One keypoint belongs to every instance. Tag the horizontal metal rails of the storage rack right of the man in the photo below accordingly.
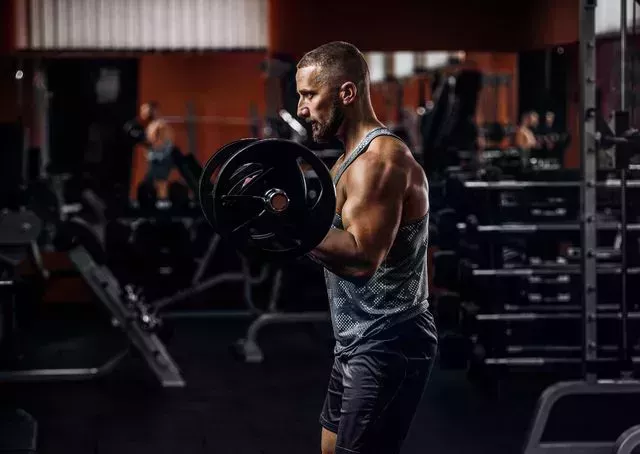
(539, 306)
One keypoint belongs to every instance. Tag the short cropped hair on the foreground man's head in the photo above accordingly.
(339, 62)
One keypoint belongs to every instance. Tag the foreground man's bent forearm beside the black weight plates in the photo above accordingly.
(339, 253)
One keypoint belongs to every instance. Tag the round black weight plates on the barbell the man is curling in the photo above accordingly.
(273, 199)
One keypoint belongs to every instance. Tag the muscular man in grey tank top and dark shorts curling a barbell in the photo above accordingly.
(375, 260)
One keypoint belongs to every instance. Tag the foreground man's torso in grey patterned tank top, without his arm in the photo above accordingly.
(365, 313)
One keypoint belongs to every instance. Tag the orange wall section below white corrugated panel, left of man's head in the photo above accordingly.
(218, 84)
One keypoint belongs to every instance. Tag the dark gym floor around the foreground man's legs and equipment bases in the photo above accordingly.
(229, 406)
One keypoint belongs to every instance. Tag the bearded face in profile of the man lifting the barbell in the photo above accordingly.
(318, 105)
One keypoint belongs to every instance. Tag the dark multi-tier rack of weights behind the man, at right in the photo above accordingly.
(519, 272)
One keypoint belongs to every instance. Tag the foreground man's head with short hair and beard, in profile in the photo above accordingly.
(333, 82)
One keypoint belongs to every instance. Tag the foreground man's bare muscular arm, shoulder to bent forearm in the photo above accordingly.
(371, 216)
